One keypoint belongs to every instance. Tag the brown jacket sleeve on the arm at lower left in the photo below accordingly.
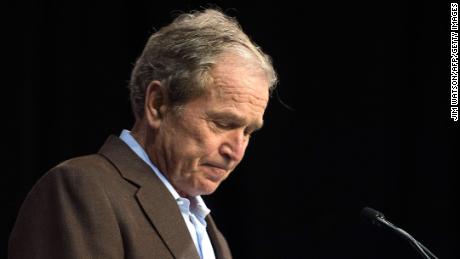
(66, 215)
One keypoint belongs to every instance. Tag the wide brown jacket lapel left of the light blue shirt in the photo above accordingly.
(154, 198)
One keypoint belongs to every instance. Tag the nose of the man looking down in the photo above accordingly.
(234, 145)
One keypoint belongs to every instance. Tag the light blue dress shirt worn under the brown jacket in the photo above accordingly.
(193, 211)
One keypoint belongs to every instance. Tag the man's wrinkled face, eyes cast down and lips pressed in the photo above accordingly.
(199, 146)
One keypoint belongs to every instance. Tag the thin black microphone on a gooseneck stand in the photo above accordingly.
(377, 218)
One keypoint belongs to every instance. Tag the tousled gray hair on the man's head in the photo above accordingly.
(181, 54)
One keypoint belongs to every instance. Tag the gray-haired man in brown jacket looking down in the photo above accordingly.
(198, 92)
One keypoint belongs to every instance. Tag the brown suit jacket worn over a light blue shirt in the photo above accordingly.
(106, 205)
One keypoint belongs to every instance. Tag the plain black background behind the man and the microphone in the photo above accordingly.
(370, 123)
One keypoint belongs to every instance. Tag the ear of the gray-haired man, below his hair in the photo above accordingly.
(155, 104)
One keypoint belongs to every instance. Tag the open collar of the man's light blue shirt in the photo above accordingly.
(196, 205)
